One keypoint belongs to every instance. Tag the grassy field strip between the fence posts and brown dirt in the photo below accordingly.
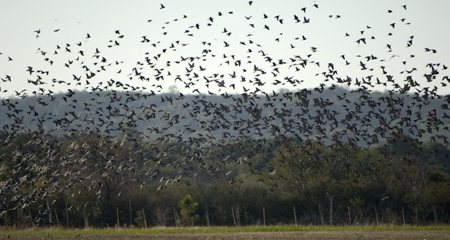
(247, 231)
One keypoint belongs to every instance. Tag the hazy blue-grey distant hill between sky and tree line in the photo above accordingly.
(309, 113)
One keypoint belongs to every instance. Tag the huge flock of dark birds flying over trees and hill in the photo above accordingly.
(130, 130)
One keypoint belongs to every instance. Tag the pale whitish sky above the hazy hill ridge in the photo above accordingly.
(229, 38)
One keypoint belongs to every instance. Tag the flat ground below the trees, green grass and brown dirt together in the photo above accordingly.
(252, 232)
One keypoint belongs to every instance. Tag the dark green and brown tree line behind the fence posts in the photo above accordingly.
(90, 179)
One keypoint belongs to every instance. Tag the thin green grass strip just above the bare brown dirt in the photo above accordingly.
(164, 230)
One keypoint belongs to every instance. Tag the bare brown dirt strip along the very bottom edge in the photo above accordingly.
(409, 235)
